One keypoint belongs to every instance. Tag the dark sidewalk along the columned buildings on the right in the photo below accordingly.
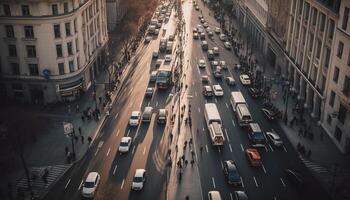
(327, 163)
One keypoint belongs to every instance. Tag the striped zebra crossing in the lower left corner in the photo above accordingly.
(39, 184)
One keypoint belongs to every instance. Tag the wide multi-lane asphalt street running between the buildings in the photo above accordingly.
(151, 141)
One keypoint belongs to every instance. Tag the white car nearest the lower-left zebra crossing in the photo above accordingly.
(90, 185)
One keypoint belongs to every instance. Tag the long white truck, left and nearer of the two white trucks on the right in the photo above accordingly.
(214, 124)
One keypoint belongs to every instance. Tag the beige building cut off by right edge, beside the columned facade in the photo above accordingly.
(336, 119)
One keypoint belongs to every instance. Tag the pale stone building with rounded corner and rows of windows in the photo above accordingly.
(51, 50)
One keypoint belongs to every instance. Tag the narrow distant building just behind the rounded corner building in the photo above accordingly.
(116, 10)
